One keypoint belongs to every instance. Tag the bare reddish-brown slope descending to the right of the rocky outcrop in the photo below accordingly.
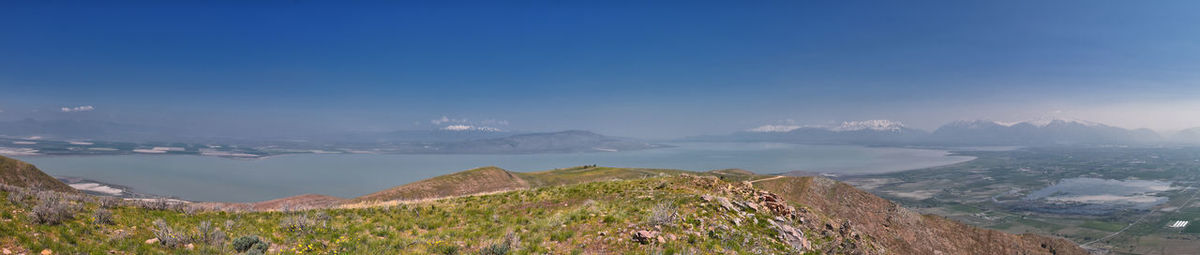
(903, 232)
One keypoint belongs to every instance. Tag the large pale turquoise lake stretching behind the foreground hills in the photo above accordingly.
(207, 179)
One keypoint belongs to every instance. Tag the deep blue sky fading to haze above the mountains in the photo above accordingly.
(627, 69)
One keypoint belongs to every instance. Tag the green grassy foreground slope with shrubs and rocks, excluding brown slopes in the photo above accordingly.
(568, 220)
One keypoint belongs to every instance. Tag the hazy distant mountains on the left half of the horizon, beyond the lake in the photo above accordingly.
(46, 137)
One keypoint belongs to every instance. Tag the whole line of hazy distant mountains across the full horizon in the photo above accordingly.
(476, 140)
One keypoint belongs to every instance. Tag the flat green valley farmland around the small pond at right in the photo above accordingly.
(1115, 199)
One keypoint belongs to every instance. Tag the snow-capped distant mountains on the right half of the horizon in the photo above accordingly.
(964, 133)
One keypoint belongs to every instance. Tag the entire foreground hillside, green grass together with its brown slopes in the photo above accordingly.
(573, 211)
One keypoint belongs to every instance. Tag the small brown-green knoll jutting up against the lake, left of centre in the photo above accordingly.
(478, 181)
